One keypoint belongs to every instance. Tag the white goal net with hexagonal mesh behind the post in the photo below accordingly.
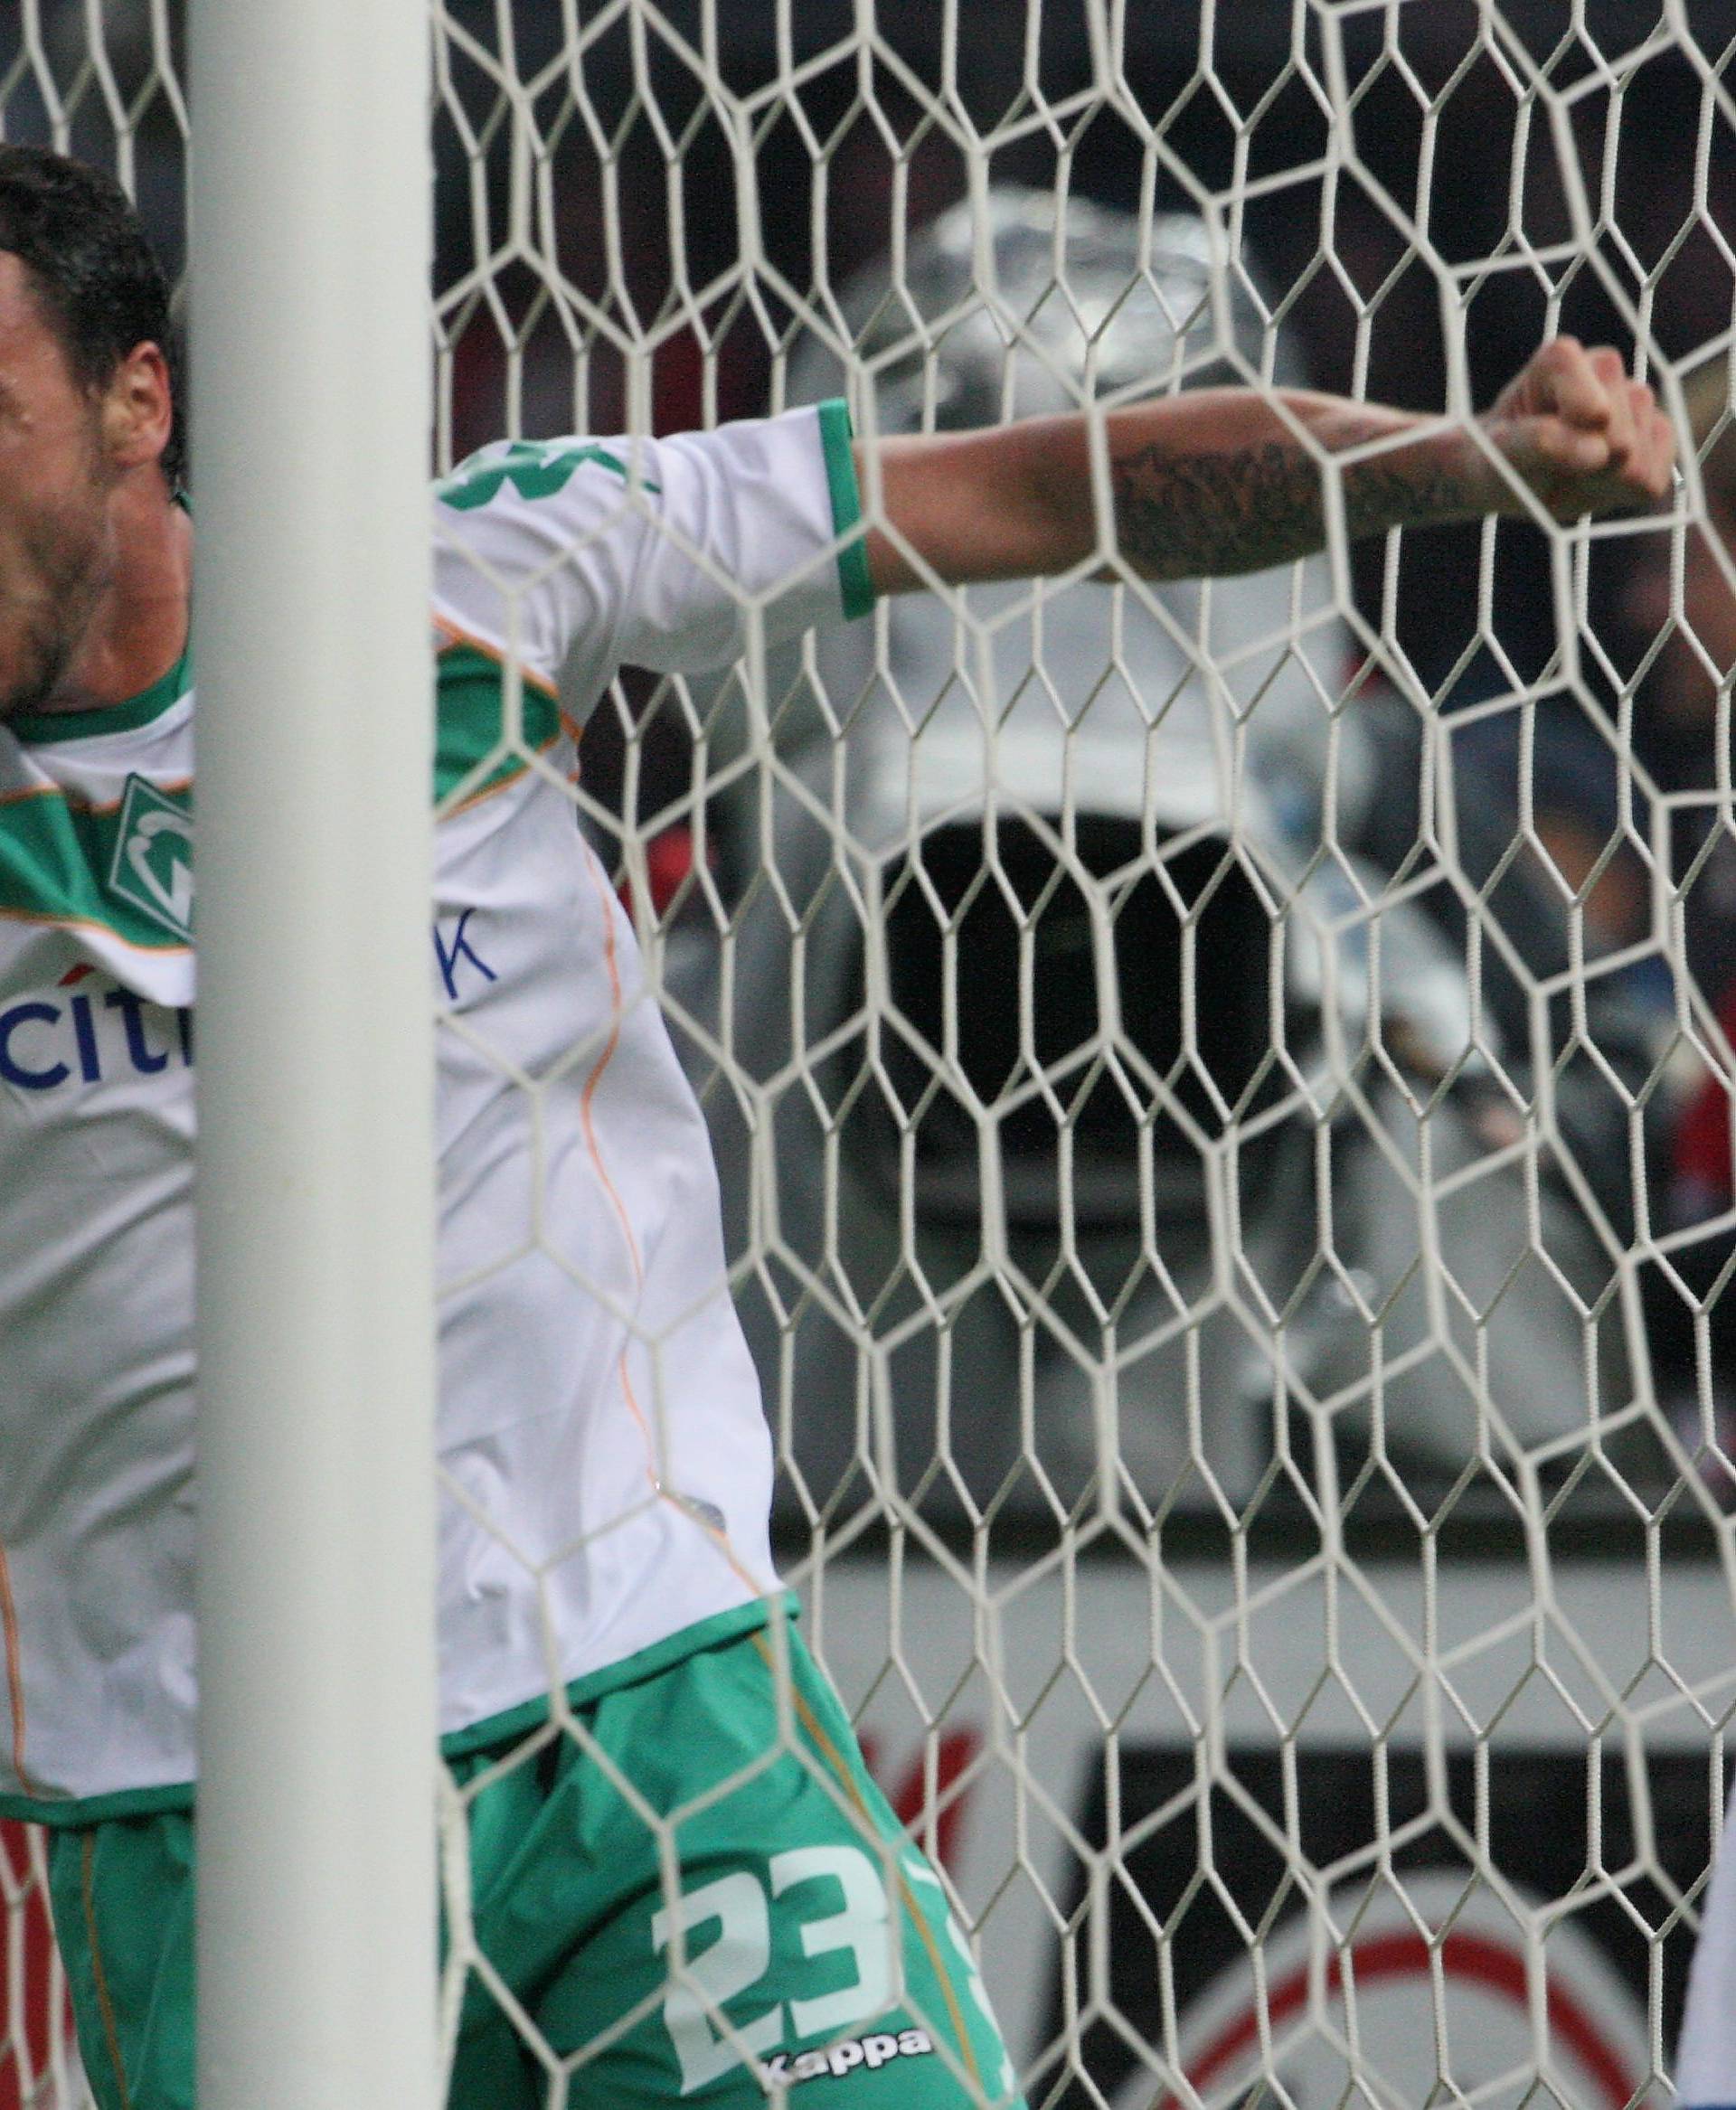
(1222, 1094)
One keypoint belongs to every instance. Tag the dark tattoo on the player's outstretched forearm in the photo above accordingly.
(1193, 516)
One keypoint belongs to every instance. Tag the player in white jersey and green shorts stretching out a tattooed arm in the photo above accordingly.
(602, 1436)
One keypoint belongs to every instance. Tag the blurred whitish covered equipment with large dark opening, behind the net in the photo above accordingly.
(1062, 1138)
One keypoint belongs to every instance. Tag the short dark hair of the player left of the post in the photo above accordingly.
(90, 265)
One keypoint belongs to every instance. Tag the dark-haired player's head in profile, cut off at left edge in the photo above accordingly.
(88, 423)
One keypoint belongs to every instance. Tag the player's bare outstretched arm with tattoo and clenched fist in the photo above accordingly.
(1229, 480)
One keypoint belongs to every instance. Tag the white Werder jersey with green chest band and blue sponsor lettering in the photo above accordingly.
(606, 1463)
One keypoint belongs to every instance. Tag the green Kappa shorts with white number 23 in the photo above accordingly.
(805, 1942)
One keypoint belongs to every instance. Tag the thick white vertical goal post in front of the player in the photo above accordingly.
(315, 1267)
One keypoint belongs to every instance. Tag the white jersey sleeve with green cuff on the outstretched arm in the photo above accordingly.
(577, 558)
